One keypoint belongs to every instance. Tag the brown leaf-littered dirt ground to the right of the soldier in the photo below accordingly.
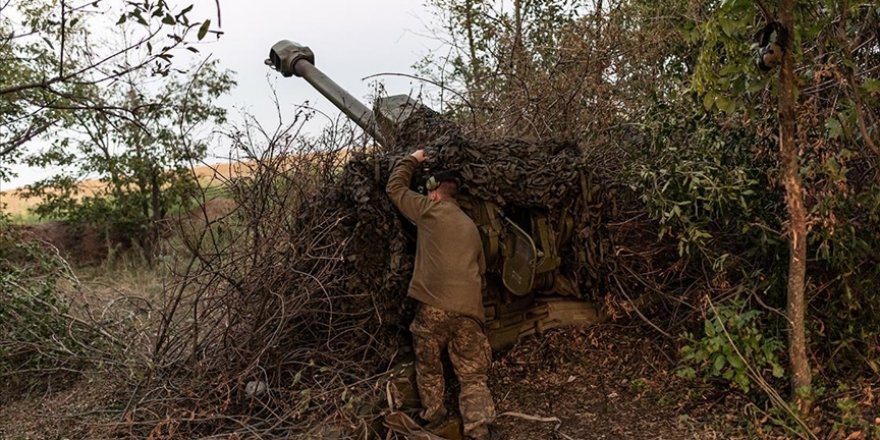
(605, 382)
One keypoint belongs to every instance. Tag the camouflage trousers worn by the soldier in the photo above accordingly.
(435, 330)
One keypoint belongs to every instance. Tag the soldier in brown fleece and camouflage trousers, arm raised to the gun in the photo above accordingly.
(447, 283)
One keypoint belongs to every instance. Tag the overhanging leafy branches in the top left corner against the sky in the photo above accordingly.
(48, 59)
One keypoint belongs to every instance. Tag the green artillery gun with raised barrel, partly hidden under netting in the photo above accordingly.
(526, 292)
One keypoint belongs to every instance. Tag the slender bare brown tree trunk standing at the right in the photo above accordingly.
(794, 199)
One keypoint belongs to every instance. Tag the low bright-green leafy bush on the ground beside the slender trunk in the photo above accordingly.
(713, 354)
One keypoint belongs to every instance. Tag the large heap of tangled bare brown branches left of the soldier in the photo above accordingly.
(269, 330)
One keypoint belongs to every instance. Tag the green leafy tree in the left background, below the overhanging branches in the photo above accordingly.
(143, 163)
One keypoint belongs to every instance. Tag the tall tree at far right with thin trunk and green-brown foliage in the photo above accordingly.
(827, 163)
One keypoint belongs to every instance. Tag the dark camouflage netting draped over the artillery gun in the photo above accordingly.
(377, 246)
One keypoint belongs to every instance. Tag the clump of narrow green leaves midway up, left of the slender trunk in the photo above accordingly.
(703, 182)
